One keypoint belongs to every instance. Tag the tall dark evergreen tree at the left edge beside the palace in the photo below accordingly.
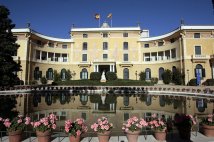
(8, 48)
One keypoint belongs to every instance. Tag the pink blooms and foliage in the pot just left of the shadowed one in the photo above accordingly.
(157, 124)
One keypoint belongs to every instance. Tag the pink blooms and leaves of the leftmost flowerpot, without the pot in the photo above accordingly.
(17, 123)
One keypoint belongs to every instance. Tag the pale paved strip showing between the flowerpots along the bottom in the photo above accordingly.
(195, 137)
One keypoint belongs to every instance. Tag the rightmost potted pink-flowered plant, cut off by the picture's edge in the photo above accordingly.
(208, 125)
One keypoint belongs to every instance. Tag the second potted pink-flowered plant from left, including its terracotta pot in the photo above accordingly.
(44, 127)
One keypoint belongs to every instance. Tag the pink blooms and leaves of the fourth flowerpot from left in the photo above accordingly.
(102, 125)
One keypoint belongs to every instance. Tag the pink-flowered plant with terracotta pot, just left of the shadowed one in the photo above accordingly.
(159, 126)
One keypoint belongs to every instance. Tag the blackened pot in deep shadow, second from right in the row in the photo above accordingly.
(184, 132)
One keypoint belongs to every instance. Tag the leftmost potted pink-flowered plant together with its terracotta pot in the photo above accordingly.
(16, 127)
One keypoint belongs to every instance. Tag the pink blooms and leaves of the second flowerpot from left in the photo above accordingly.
(45, 124)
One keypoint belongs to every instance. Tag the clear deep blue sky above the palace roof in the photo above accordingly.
(55, 17)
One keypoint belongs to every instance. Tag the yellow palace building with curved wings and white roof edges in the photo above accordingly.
(127, 51)
